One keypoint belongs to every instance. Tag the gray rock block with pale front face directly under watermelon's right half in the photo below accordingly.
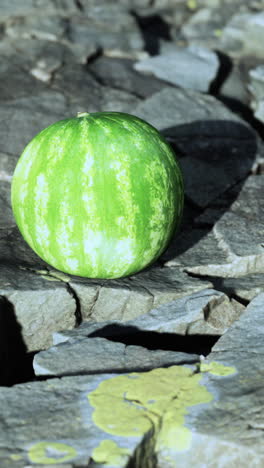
(131, 297)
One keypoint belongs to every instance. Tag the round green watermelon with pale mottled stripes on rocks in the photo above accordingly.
(98, 195)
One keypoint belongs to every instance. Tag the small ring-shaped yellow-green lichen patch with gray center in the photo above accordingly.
(50, 453)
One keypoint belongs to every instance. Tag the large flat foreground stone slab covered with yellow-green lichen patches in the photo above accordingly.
(164, 415)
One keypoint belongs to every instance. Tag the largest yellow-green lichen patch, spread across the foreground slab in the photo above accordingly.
(157, 399)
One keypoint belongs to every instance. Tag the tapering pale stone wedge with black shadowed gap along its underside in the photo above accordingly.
(179, 325)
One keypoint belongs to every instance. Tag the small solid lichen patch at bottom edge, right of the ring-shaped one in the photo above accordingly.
(109, 453)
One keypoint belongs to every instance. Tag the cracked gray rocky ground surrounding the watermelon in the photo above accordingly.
(162, 369)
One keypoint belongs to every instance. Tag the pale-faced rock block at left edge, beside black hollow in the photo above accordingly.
(39, 307)
